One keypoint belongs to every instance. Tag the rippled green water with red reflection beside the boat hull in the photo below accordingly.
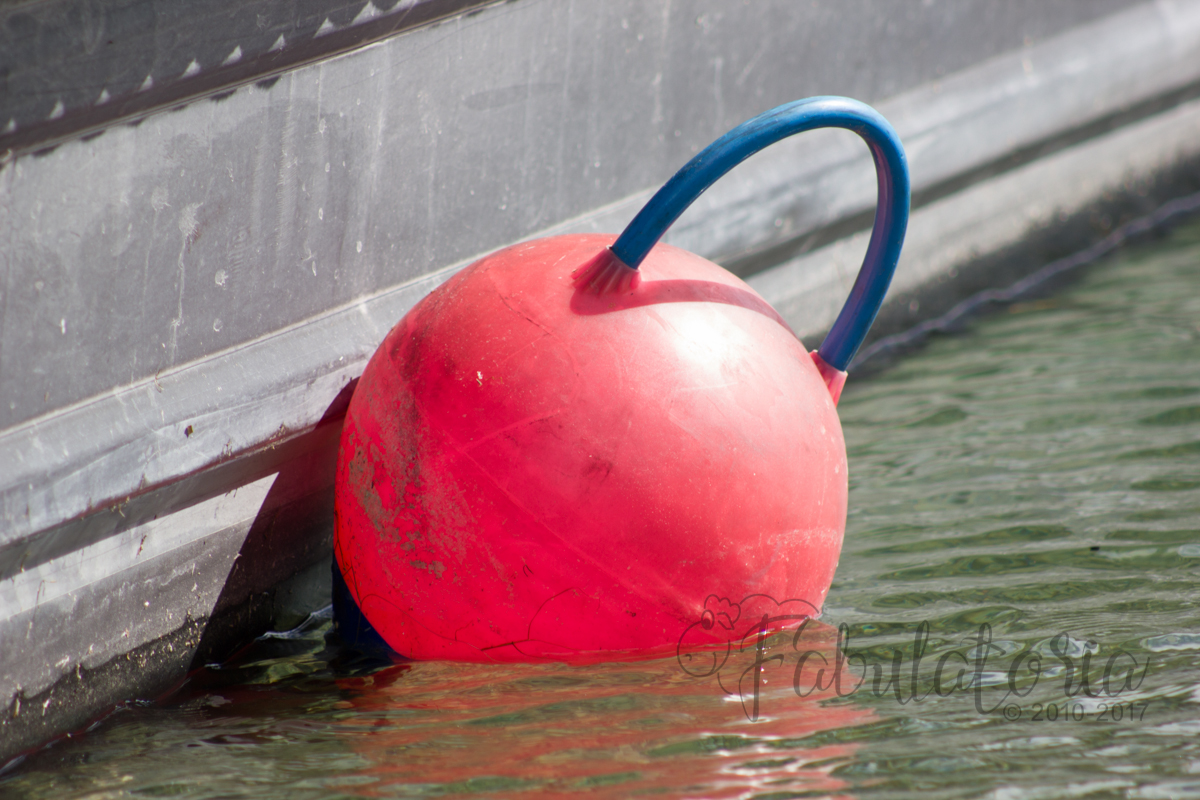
(1034, 482)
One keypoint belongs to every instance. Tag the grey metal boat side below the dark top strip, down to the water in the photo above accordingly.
(185, 304)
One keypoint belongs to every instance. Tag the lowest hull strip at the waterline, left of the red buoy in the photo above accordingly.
(129, 617)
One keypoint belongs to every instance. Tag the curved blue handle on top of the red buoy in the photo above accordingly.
(751, 137)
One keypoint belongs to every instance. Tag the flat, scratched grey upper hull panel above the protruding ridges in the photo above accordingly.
(208, 227)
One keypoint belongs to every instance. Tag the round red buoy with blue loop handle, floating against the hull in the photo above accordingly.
(575, 444)
